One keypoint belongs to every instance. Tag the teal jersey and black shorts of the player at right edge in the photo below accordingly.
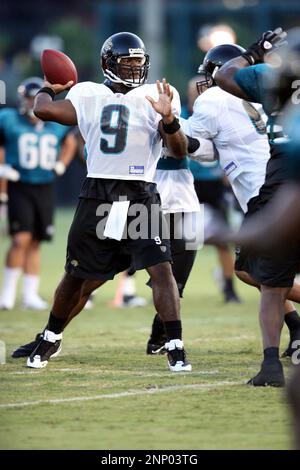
(276, 269)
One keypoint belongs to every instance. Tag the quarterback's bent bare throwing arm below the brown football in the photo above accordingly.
(61, 111)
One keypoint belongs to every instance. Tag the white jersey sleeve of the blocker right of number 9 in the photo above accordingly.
(203, 123)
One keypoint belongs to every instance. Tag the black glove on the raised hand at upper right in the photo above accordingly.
(269, 41)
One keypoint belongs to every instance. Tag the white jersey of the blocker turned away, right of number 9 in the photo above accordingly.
(239, 134)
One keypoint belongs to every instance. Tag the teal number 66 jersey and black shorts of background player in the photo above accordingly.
(32, 150)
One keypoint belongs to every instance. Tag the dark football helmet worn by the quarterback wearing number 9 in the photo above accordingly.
(124, 45)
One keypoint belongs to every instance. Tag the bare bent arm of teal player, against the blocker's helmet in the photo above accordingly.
(225, 76)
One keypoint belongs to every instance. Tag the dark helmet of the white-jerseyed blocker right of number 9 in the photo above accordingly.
(213, 60)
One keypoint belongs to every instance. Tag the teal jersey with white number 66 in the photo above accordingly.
(31, 149)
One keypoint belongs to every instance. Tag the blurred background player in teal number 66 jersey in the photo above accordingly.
(32, 153)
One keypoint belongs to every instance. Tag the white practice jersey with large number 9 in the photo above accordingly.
(120, 130)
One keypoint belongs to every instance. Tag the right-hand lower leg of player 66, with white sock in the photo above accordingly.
(31, 279)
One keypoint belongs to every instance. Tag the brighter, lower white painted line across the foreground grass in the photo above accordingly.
(129, 393)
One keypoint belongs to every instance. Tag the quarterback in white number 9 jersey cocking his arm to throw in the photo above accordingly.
(122, 121)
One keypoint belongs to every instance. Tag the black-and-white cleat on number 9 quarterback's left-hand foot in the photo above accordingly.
(48, 347)
